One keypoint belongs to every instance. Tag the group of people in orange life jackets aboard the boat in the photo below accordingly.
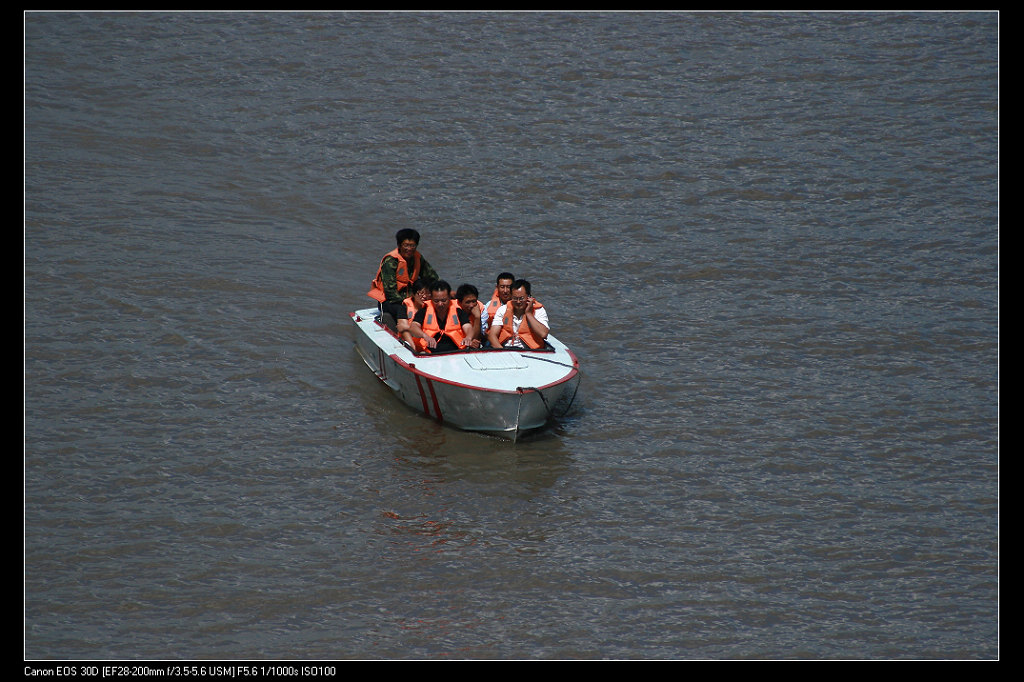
(424, 312)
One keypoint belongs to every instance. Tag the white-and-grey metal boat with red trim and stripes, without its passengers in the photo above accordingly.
(505, 393)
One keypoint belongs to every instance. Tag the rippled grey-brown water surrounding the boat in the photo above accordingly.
(773, 241)
